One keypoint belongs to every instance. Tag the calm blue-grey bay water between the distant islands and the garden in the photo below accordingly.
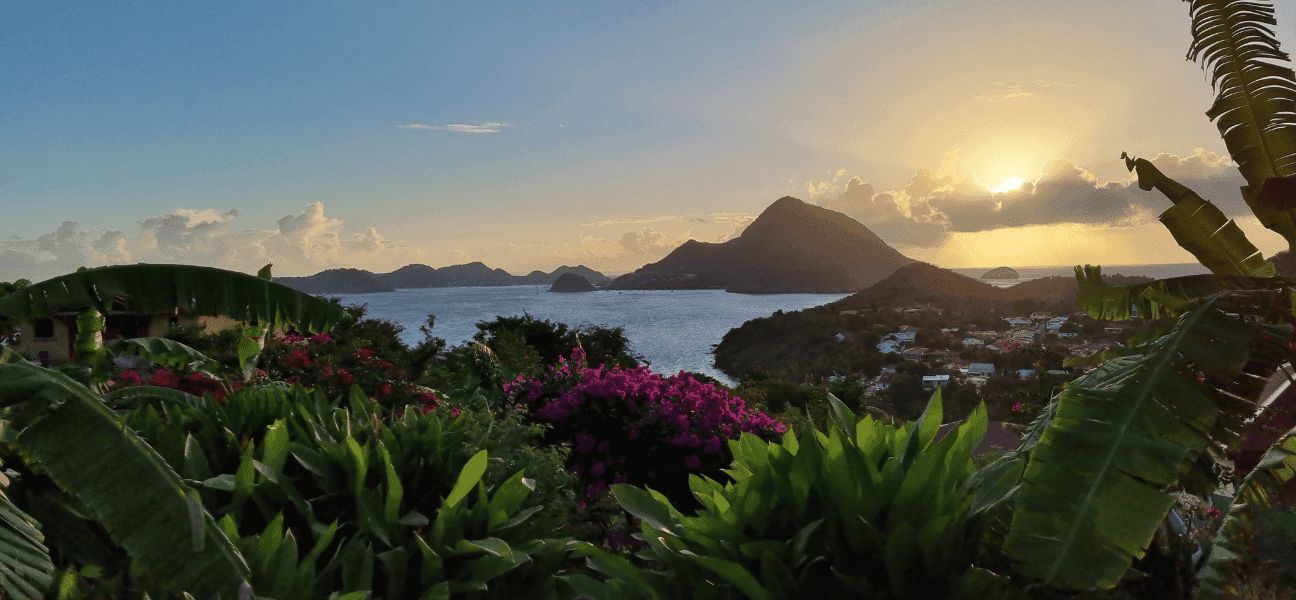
(675, 331)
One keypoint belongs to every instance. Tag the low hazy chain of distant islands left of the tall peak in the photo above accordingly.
(414, 277)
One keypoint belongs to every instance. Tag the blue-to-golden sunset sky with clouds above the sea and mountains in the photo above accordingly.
(533, 134)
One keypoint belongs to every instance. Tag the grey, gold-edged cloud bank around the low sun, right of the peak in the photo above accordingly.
(944, 202)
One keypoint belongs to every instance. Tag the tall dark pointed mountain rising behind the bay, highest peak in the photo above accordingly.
(791, 248)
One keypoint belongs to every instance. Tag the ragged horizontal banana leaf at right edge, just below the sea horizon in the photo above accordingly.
(1171, 297)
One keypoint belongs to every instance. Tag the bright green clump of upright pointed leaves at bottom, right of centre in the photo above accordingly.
(864, 511)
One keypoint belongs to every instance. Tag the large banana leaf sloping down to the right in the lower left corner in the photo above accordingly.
(122, 481)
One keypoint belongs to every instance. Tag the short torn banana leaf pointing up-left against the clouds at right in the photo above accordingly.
(1201, 229)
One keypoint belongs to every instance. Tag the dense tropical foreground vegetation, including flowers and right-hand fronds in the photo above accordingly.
(348, 466)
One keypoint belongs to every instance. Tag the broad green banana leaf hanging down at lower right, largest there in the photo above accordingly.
(1097, 484)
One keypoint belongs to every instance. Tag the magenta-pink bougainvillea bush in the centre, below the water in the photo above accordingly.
(634, 426)
